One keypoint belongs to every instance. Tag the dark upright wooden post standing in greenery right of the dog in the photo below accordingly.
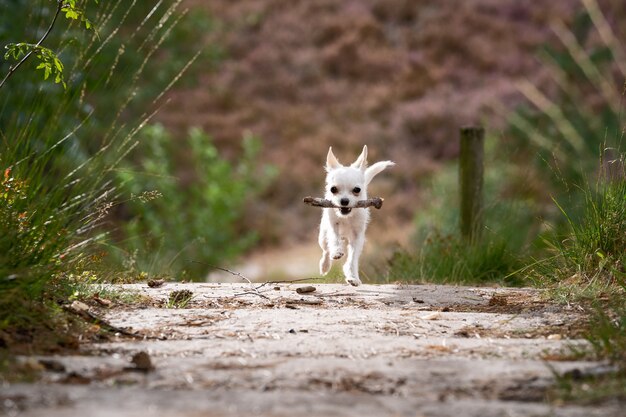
(471, 181)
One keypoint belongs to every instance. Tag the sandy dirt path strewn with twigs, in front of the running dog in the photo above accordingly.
(338, 351)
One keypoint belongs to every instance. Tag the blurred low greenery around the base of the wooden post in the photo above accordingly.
(440, 254)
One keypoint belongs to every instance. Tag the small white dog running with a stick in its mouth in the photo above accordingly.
(345, 227)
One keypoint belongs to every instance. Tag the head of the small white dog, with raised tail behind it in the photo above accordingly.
(345, 185)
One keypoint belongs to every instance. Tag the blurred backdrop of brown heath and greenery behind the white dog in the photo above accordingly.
(188, 132)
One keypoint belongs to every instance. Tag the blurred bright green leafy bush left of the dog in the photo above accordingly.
(194, 224)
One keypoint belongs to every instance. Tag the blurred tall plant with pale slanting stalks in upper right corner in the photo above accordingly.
(568, 130)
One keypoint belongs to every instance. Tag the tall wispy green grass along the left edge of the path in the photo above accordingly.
(56, 166)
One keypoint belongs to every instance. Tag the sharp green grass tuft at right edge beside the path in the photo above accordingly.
(588, 266)
